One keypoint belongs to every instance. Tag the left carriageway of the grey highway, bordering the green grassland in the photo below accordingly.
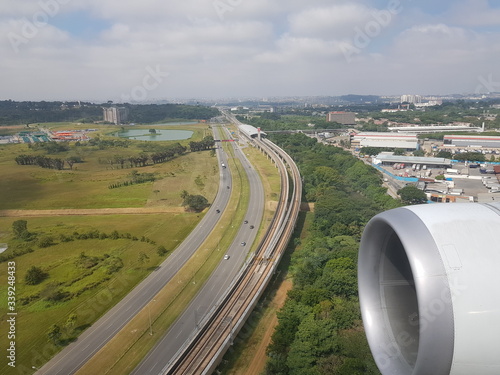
(70, 359)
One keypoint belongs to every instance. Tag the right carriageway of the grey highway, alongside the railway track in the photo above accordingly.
(189, 322)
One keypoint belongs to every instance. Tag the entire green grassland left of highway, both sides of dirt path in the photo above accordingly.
(91, 287)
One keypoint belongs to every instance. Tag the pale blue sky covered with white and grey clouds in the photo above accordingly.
(147, 50)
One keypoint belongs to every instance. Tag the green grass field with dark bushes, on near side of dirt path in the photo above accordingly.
(99, 290)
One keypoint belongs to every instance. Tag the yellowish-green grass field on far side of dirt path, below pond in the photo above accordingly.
(86, 186)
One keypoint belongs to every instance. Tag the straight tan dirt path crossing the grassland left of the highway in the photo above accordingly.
(92, 211)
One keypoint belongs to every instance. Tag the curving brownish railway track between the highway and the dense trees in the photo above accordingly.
(205, 350)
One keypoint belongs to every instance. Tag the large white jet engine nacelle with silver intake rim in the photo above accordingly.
(429, 289)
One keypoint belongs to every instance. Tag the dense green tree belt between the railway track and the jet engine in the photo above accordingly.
(320, 330)
